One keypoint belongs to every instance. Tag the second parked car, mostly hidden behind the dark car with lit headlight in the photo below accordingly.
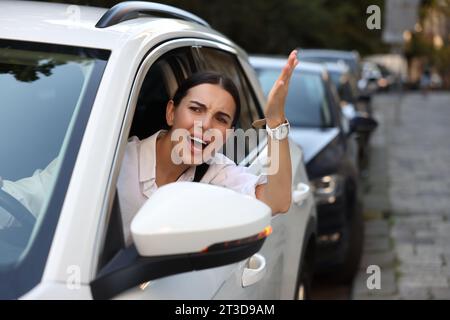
(353, 107)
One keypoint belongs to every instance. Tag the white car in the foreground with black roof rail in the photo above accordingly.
(75, 83)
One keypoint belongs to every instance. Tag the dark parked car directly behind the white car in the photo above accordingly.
(312, 108)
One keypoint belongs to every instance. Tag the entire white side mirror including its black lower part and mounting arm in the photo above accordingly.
(186, 226)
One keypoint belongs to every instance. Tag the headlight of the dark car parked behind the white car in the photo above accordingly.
(326, 189)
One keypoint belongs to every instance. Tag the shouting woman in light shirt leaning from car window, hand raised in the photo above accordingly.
(205, 102)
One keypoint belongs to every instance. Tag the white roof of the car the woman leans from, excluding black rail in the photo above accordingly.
(75, 25)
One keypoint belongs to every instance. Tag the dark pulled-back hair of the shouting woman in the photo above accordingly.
(212, 78)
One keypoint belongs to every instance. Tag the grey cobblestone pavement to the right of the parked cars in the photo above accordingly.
(407, 199)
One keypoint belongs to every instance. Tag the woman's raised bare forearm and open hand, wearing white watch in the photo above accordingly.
(277, 193)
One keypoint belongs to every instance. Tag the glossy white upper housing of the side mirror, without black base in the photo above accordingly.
(189, 217)
